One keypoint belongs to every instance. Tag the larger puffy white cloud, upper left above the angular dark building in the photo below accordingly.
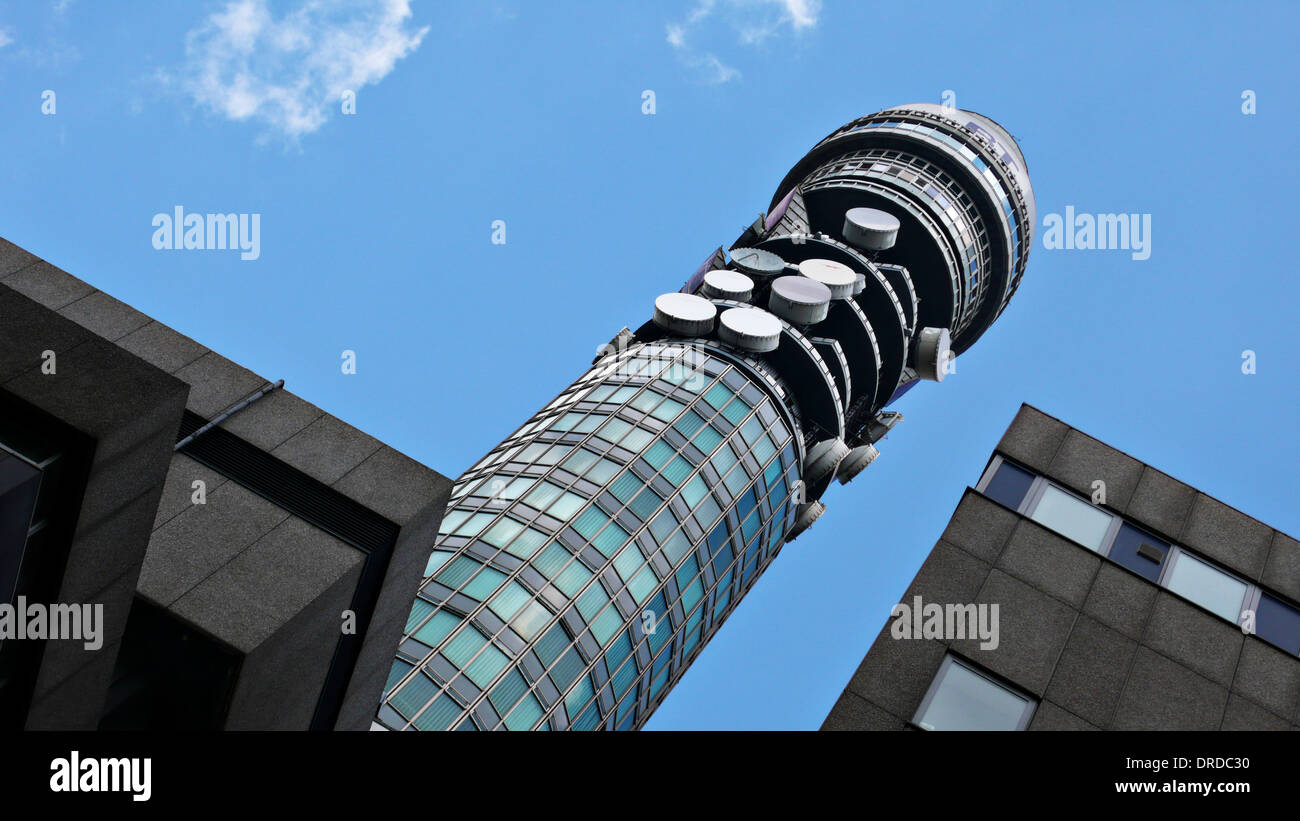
(291, 73)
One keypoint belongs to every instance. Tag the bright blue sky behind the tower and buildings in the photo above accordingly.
(376, 231)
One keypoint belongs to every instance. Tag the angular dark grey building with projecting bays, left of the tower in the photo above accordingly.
(226, 568)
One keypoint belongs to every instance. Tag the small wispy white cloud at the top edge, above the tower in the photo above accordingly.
(751, 23)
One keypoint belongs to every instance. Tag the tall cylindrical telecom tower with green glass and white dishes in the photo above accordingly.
(587, 561)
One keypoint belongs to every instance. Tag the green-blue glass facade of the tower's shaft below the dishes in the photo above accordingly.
(587, 559)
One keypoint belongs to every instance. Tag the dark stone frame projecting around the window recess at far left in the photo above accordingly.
(131, 411)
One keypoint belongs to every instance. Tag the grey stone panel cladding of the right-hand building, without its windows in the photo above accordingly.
(1100, 648)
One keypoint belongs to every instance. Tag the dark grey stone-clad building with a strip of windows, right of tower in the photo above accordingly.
(1128, 602)
